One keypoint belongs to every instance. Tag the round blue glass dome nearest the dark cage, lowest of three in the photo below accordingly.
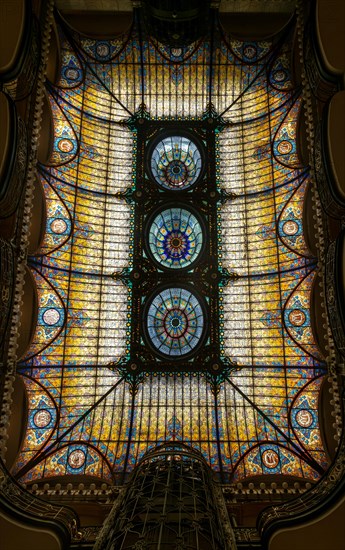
(175, 322)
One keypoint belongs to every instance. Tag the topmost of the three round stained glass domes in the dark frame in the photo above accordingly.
(176, 163)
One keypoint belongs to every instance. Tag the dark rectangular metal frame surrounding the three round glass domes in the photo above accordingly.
(205, 276)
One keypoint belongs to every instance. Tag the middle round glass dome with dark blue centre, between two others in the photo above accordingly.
(175, 238)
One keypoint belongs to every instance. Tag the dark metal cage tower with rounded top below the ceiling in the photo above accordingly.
(170, 503)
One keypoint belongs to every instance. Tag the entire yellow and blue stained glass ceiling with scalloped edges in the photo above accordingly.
(87, 413)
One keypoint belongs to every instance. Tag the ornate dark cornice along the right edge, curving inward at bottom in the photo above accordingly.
(330, 488)
